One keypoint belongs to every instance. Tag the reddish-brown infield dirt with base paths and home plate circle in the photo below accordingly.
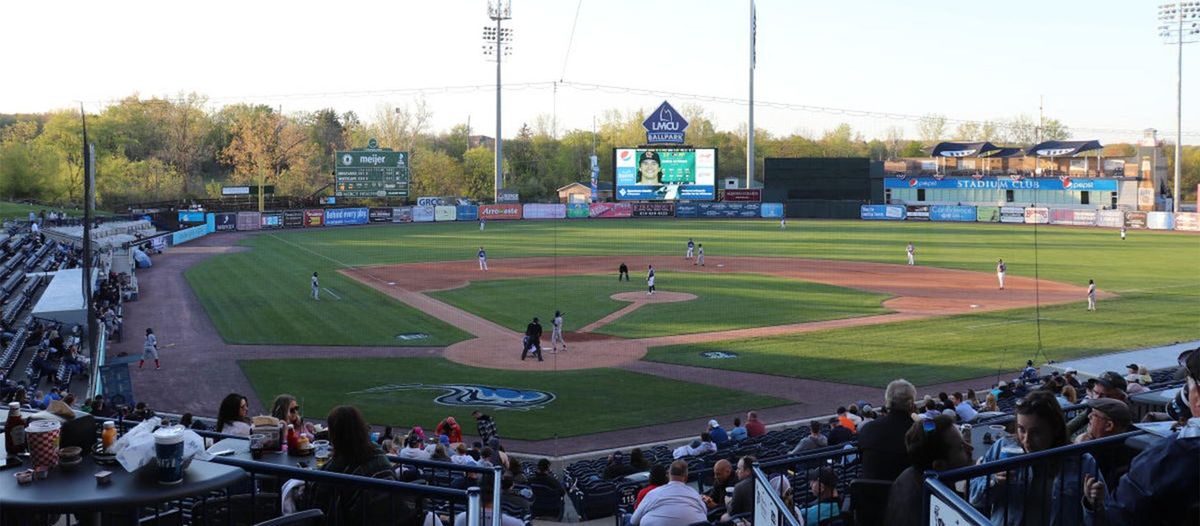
(917, 292)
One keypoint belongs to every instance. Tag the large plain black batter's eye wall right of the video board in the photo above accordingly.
(823, 188)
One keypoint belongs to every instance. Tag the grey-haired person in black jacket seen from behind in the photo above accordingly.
(883, 441)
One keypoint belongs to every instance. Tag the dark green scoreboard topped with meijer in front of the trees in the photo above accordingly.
(371, 172)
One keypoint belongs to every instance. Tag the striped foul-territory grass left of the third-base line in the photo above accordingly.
(263, 297)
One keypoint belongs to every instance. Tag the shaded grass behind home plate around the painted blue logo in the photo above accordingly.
(610, 399)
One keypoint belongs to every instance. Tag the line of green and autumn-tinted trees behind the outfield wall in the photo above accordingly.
(159, 150)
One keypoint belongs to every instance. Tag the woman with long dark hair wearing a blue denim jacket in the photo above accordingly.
(1048, 494)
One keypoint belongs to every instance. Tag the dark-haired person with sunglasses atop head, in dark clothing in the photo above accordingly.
(933, 445)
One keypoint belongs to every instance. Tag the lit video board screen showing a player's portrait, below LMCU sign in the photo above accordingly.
(665, 174)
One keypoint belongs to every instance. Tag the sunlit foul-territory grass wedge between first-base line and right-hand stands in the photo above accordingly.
(959, 348)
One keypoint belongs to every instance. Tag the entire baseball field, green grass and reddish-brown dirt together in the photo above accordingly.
(787, 319)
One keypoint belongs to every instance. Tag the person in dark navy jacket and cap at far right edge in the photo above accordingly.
(1163, 482)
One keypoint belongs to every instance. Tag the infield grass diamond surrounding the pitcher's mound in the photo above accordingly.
(723, 302)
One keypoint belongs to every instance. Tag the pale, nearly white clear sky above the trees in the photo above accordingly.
(1100, 67)
